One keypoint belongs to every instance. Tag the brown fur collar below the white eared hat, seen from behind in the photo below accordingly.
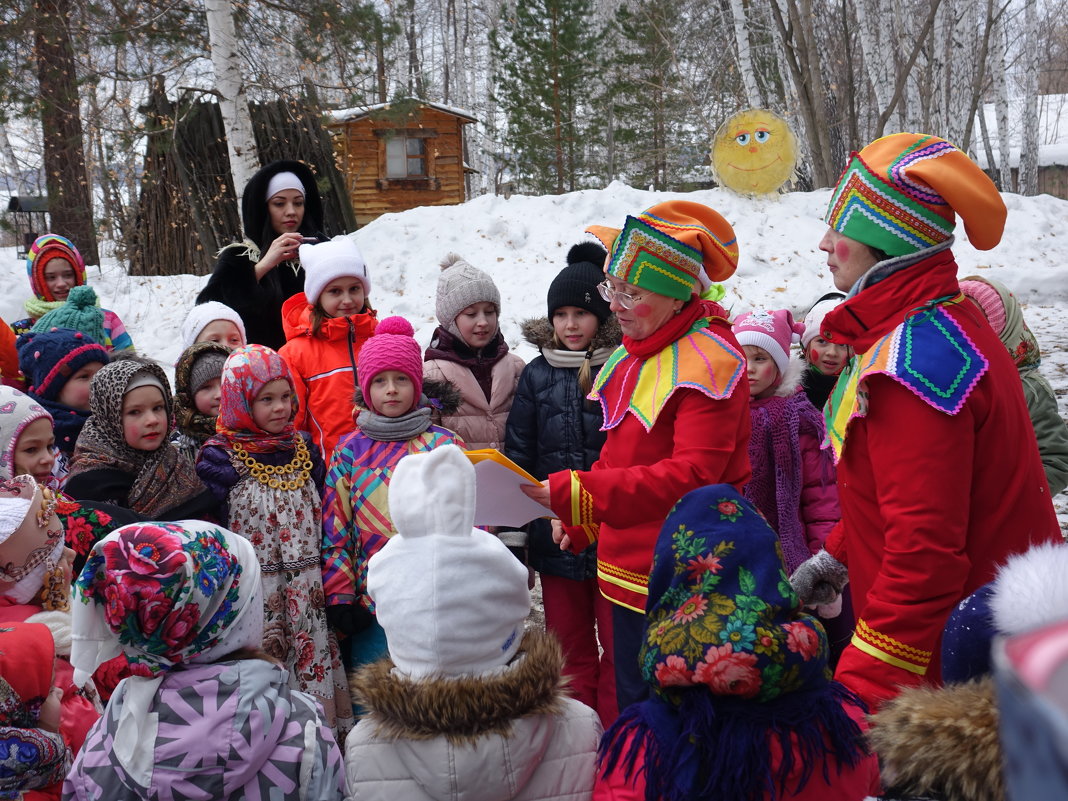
(464, 710)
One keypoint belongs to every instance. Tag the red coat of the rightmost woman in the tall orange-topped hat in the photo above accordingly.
(933, 501)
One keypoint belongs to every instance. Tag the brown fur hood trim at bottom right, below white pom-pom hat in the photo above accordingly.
(941, 743)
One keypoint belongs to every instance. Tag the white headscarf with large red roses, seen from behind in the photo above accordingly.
(166, 594)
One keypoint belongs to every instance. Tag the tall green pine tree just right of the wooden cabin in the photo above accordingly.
(547, 59)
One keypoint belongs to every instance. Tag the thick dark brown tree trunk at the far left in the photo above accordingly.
(70, 199)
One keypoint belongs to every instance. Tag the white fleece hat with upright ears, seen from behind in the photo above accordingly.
(451, 598)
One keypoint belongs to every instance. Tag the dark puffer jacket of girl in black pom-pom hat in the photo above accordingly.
(552, 428)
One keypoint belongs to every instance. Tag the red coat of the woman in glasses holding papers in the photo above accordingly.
(624, 499)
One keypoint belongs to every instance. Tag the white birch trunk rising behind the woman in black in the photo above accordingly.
(233, 102)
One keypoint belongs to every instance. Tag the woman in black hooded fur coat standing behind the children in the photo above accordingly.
(280, 209)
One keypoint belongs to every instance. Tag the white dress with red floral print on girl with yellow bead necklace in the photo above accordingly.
(286, 528)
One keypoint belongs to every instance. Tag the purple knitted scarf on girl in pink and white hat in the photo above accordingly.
(775, 453)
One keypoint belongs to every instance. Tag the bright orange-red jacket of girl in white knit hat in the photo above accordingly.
(324, 370)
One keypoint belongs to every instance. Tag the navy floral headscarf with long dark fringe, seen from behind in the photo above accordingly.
(733, 663)
